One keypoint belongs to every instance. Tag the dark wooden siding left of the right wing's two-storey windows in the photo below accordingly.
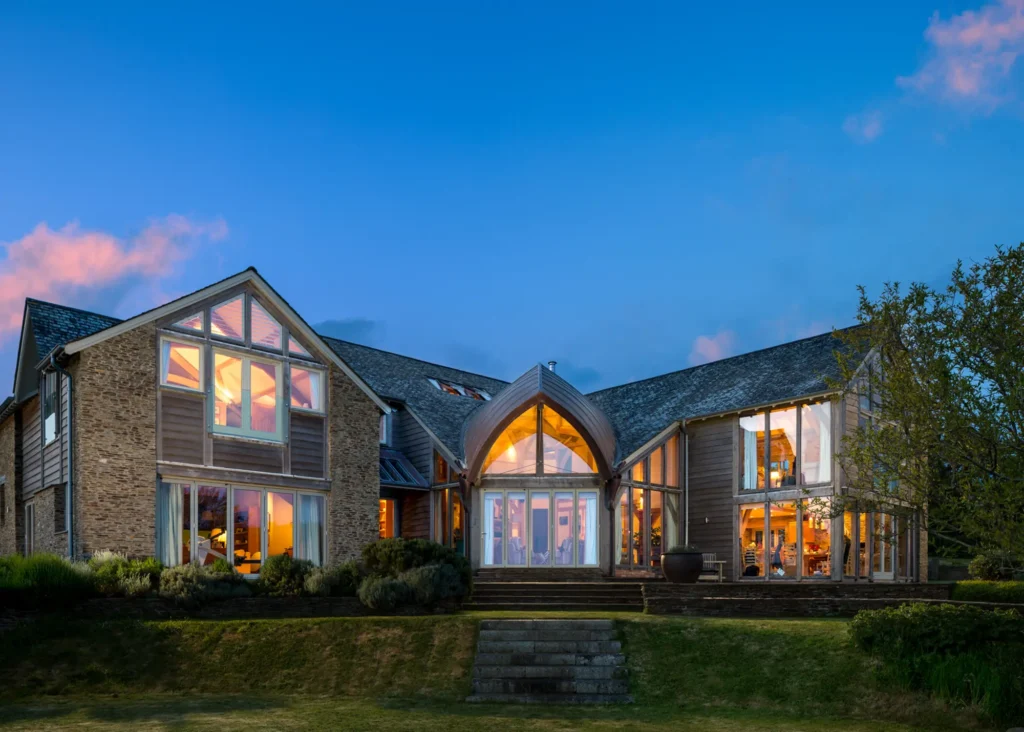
(712, 519)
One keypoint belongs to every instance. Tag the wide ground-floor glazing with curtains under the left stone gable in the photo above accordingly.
(203, 524)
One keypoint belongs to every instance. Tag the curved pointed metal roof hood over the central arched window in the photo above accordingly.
(537, 386)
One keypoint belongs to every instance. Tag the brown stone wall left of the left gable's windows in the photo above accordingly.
(115, 433)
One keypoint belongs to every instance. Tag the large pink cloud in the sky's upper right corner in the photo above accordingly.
(972, 56)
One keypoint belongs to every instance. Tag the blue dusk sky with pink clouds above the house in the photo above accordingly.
(493, 185)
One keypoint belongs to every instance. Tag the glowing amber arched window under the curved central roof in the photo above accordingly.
(562, 451)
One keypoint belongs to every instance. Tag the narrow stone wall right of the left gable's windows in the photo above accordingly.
(353, 461)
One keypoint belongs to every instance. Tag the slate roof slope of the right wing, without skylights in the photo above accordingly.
(642, 410)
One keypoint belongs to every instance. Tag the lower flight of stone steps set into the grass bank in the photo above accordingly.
(550, 662)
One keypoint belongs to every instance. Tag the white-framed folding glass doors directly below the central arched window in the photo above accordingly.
(544, 529)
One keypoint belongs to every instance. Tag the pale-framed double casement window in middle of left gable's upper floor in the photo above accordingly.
(246, 397)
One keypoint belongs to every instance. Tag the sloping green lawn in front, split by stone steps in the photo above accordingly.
(413, 673)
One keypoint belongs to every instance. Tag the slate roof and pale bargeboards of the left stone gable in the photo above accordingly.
(77, 330)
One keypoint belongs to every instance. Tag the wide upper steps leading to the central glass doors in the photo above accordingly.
(572, 596)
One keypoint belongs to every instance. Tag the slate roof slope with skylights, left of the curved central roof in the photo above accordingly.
(407, 380)
